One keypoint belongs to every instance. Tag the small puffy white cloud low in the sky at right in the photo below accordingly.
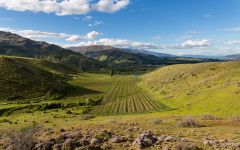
(189, 44)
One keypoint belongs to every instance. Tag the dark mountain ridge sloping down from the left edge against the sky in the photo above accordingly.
(15, 45)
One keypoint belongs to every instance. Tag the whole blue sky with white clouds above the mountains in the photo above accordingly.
(199, 27)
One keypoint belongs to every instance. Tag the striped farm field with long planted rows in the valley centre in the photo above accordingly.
(125, 96)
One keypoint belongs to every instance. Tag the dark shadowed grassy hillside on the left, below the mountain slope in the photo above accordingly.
(22, 78)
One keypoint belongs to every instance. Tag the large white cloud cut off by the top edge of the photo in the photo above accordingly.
(64, 7)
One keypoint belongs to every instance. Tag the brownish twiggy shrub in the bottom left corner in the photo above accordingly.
(23, 139)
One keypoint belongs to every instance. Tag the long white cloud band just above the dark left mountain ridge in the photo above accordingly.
(34, 34)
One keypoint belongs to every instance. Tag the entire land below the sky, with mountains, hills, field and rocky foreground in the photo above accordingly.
(109, 98)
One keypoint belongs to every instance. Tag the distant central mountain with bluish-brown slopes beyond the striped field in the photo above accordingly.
(121, 58)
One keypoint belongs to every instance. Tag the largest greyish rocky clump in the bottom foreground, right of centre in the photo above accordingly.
(145, 140)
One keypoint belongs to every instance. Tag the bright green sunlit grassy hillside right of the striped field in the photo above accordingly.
(199, 88)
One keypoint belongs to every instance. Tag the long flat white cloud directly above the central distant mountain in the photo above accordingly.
(118, 43)
